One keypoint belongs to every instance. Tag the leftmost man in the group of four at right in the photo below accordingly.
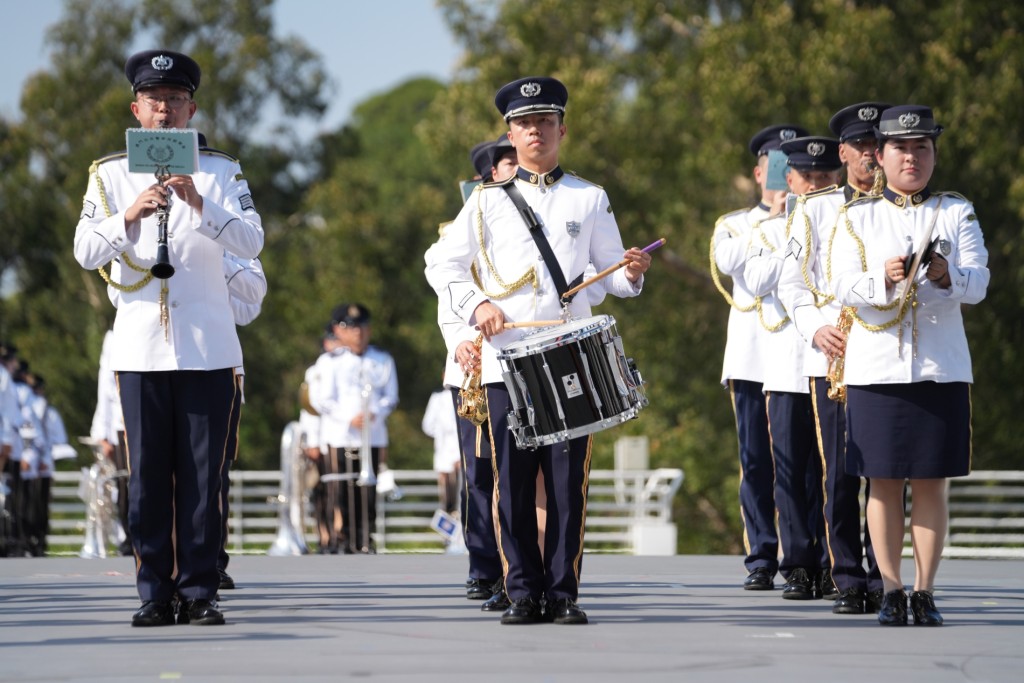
(743, 368)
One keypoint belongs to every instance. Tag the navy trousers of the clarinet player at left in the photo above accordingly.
(177, 431)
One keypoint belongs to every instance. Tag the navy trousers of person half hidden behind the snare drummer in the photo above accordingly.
(479, 490)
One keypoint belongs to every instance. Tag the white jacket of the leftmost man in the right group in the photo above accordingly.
(731, 244)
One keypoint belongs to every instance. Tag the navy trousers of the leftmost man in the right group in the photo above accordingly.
(757, 483)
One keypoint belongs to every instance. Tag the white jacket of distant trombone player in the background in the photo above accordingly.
(338, 396)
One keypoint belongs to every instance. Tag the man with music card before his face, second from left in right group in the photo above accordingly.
(814, 164)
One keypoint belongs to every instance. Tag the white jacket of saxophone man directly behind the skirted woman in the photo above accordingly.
(804, 290)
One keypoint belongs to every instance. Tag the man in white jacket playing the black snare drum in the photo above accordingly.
(517, 285)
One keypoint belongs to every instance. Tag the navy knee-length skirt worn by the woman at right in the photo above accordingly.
(909, 432)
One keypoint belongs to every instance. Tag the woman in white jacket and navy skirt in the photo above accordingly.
(909, 262)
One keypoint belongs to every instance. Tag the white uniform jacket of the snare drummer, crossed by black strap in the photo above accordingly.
(578, 222)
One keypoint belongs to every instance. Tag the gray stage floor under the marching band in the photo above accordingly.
(405, 618)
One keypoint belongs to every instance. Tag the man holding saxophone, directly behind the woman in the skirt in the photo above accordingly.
(806, 295)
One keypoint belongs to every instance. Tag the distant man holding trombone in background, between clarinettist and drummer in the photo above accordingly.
(357, 393)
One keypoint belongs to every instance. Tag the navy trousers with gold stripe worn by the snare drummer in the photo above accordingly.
(567, 478)
